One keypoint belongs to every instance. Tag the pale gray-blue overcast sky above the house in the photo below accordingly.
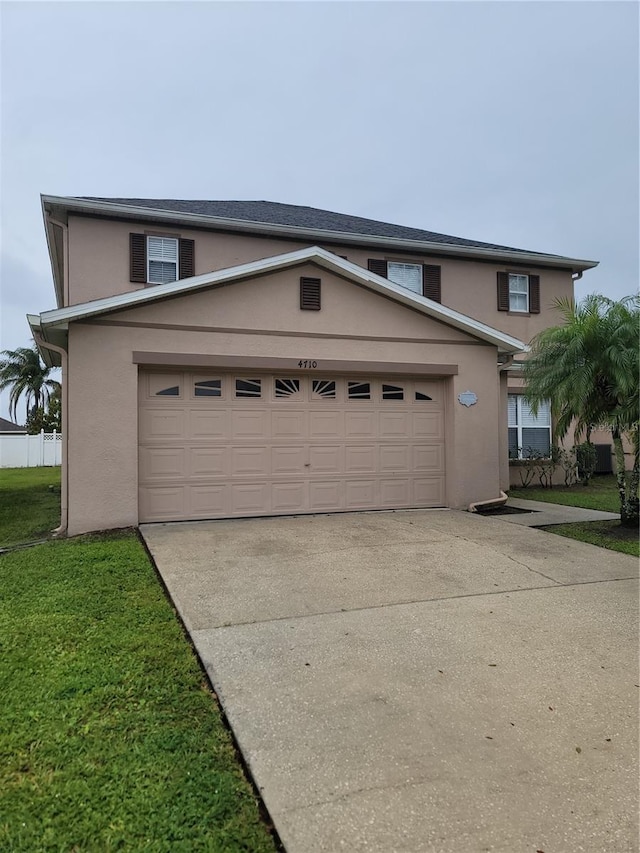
(509, 122)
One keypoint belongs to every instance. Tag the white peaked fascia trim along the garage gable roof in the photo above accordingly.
(62, 316)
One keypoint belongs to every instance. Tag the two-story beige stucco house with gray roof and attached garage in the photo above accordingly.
(228, 359)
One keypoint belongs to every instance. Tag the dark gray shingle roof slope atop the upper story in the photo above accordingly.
(275, 213)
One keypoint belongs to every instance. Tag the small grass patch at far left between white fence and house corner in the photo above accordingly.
(29, 504)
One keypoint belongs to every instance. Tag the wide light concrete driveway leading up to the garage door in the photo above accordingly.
(420, 681)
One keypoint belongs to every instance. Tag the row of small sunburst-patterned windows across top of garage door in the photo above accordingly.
(283, 388)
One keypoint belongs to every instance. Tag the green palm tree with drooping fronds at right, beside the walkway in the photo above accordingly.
(589, 368)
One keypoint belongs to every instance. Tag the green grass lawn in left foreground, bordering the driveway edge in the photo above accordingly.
(110, 738)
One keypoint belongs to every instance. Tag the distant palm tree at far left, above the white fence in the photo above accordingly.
(23, 371)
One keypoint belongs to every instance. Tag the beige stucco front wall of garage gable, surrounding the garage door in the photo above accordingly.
(234, 320)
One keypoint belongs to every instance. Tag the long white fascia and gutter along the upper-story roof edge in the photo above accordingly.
(397, 243)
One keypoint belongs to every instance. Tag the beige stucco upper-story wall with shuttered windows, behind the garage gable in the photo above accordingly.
(99, 266)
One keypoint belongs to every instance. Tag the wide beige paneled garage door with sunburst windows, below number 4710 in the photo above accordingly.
(219, 445)
